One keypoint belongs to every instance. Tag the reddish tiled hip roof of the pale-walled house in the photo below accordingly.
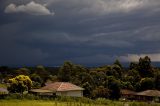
(61, 86)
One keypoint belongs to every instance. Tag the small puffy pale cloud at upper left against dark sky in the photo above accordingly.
(30, 8)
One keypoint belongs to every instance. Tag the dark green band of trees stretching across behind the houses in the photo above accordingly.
(104, 81)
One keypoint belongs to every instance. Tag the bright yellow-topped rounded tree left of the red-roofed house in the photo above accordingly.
(19, 84)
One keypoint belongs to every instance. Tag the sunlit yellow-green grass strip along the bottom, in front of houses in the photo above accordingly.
(54, 103)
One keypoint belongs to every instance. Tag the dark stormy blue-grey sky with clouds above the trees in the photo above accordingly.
(87, 32)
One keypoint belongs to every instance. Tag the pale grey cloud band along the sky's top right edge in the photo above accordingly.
(103, 7)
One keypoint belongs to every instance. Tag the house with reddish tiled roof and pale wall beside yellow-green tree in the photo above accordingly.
(61, 89)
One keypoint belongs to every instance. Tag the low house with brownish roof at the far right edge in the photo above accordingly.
(148, 95)
